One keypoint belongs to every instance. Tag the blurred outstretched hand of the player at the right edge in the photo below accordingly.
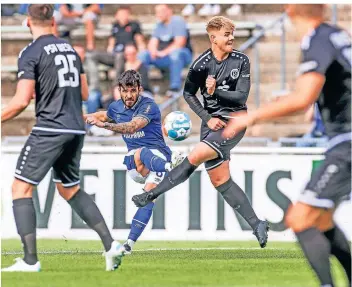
(238, 123)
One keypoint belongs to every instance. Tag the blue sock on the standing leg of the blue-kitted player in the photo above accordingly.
(140, 221)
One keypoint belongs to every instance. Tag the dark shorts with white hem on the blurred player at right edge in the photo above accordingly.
(331, 182)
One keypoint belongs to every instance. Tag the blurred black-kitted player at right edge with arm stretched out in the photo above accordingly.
(325, 77)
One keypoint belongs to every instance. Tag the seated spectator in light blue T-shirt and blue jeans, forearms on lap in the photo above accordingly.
(169, 47)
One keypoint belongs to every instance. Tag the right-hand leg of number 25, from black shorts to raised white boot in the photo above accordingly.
(66, 176)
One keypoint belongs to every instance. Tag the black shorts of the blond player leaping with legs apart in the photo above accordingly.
(215, 140)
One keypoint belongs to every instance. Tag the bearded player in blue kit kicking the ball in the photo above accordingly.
(138, 119)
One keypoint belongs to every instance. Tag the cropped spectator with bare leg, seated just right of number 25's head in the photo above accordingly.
(72, 15)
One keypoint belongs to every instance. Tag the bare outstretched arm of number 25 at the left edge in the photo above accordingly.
(22, 98)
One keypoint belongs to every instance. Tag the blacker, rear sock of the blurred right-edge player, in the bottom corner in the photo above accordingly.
(340, 248)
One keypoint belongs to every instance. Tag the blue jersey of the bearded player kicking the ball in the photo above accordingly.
(151, 135)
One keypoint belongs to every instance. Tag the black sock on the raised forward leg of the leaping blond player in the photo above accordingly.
(176, 176)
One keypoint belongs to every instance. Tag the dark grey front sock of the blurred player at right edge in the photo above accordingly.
(317, 250)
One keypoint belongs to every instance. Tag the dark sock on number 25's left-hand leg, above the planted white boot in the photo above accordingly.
(25, 218)
